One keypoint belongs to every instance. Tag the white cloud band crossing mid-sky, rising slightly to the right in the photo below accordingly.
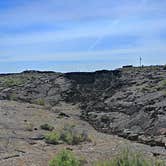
(138, 28)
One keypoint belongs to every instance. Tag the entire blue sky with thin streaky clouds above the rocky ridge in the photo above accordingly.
(81, 35)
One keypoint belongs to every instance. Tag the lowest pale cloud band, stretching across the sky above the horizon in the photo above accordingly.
(146, 50)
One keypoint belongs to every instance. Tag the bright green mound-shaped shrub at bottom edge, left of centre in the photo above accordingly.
(65, 158)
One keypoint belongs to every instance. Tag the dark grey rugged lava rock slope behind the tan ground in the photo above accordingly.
(129, 102)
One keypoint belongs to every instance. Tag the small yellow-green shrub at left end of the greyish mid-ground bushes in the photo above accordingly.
(52, 138)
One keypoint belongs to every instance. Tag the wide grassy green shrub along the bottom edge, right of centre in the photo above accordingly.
(130, 159)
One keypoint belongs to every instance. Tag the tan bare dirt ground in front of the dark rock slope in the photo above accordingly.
(21, 142)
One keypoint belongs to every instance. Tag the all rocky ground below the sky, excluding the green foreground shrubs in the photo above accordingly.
(127, 102)
